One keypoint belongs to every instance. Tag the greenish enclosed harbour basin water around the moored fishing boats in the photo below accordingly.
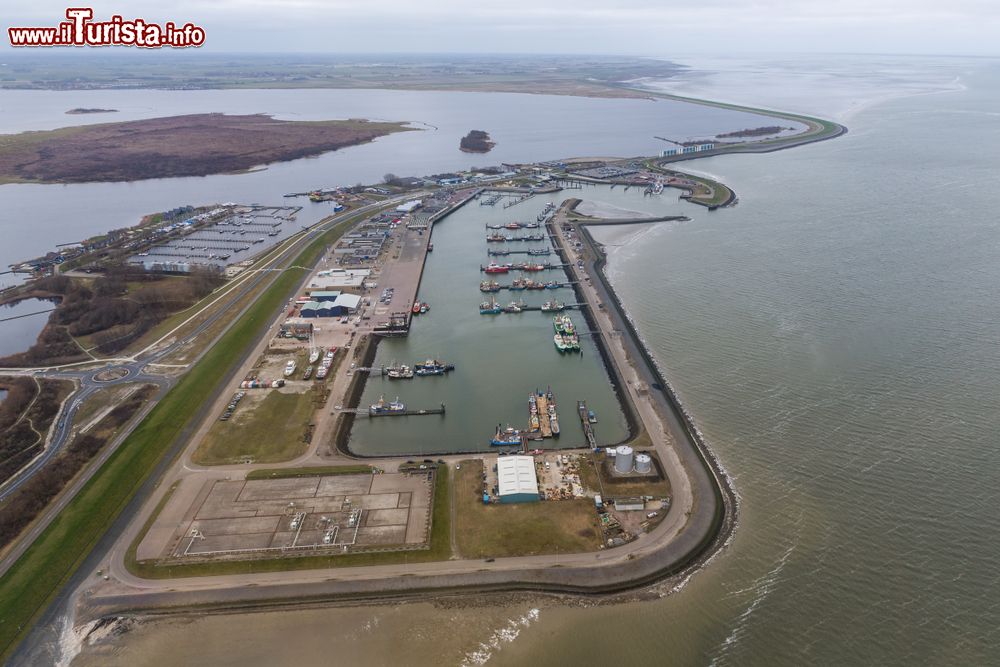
(476, 342)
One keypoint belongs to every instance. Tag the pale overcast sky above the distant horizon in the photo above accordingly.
(645, 27)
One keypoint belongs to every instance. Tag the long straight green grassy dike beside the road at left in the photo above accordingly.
(36, 578)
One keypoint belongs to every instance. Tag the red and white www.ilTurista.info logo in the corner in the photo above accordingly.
(80, 30)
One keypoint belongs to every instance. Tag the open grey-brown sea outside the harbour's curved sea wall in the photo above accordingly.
(836, 337)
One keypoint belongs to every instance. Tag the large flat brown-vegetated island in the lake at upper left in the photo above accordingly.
(192, 145)
